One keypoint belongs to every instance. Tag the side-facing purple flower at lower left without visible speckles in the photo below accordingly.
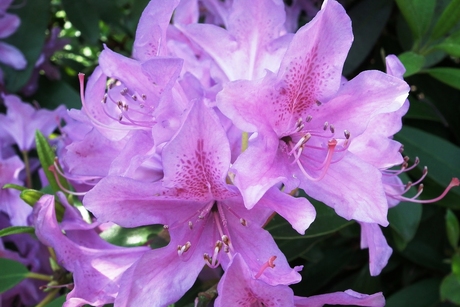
(96, 265)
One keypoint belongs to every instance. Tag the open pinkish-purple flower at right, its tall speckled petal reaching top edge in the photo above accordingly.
(304, 119)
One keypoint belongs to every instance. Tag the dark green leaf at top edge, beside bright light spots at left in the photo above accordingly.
(83, 15)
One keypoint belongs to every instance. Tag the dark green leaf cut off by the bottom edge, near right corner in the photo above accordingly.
(420, 294)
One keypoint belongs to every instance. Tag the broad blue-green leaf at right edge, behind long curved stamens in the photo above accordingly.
(440, 156)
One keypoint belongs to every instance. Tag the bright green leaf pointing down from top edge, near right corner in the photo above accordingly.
(418, 14)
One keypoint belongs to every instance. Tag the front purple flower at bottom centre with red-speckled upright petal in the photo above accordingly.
(204, 215)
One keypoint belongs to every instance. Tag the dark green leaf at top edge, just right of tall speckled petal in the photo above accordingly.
(368, 18)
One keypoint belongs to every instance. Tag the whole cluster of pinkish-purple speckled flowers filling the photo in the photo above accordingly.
(210, 129)
